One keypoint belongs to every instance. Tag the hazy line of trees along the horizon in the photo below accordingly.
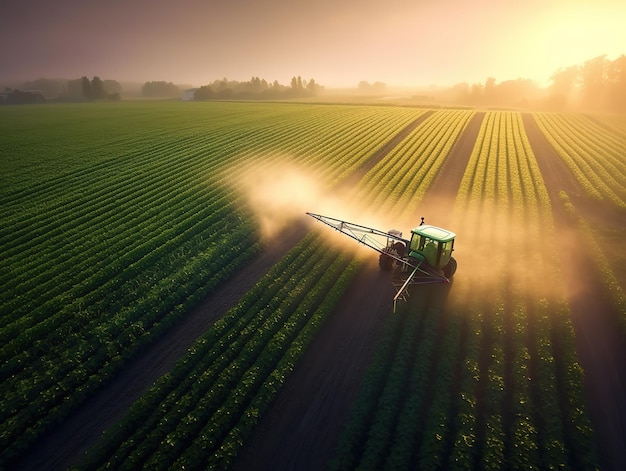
(598, 84)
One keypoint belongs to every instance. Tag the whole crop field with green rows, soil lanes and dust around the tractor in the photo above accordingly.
(165, 303)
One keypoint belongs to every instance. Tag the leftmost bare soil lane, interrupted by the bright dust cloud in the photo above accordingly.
(65, 444)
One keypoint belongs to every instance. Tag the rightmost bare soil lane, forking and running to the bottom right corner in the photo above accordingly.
(599, 343)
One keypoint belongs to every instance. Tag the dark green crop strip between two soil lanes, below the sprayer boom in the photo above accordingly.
(206, 407)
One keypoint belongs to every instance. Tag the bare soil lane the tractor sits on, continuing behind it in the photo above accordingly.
(300, 429)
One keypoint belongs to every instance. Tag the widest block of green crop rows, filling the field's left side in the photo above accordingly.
(118, 219)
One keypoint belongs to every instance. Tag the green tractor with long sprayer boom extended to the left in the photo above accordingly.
(424, 258)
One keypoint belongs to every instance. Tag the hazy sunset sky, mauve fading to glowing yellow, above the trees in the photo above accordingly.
(336, 42)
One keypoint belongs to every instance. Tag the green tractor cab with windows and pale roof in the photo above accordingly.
(433, 244)
